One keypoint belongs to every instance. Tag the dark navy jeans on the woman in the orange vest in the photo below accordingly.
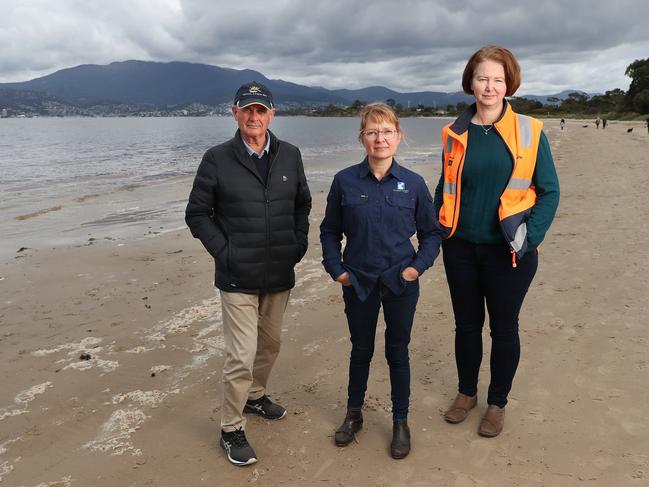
(479, 275)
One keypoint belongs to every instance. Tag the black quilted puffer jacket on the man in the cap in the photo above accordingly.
(256, 232)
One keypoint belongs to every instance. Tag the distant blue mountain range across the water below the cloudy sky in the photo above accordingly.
(147, 84)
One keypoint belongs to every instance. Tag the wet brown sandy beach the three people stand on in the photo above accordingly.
(111, 359)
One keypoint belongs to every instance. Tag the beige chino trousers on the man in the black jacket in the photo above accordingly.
(252, 325)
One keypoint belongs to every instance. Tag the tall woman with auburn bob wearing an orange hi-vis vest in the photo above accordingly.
(495, 200)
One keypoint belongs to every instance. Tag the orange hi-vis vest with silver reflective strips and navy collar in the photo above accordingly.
(521, 135)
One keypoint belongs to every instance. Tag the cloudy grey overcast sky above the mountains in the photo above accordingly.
(403, 45)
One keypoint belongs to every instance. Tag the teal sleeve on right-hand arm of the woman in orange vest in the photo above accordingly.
(546, 183)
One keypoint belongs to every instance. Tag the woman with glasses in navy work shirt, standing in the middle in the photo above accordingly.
(378, 205)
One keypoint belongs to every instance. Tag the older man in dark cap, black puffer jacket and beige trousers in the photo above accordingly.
(250, 207)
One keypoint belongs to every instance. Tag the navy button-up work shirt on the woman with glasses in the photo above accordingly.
(378, 218)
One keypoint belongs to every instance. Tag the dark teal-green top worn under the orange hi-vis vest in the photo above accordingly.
(487, 168)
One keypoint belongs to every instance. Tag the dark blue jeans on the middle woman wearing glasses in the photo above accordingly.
(399, 312)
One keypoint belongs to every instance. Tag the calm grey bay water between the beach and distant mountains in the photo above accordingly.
(76, 180)
